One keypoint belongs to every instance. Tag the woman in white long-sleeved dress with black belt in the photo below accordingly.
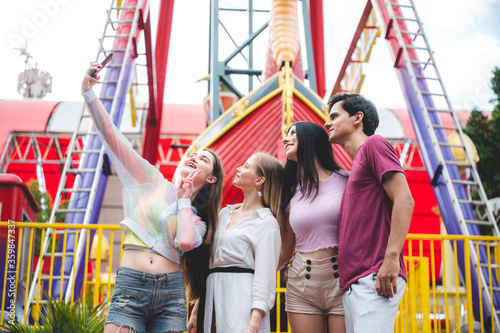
(241, 285)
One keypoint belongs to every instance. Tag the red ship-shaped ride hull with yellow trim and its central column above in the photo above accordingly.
(259, 121)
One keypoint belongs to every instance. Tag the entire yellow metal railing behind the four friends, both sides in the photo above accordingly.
(436, 298)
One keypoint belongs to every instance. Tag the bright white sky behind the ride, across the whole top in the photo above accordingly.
(62, 35)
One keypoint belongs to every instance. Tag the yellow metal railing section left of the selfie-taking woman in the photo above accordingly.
(20, 248)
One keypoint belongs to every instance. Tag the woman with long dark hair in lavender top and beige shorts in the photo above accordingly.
(312, 192)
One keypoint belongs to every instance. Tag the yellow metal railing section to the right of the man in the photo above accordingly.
(443, 302)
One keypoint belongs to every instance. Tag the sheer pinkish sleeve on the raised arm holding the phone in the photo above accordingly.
(131, 168)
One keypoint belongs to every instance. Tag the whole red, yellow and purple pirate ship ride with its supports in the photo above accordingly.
(259, 119)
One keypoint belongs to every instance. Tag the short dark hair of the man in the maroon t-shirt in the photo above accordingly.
(353, 103)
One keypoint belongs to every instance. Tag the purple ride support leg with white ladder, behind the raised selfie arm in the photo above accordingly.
(120, 36)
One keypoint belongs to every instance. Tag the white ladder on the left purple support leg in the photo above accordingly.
(81, 191)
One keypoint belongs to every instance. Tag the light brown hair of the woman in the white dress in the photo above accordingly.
(271, 169)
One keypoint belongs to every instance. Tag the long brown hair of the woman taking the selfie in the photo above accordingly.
(194, 264)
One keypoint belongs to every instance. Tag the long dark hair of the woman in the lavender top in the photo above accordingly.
(313, 145)
